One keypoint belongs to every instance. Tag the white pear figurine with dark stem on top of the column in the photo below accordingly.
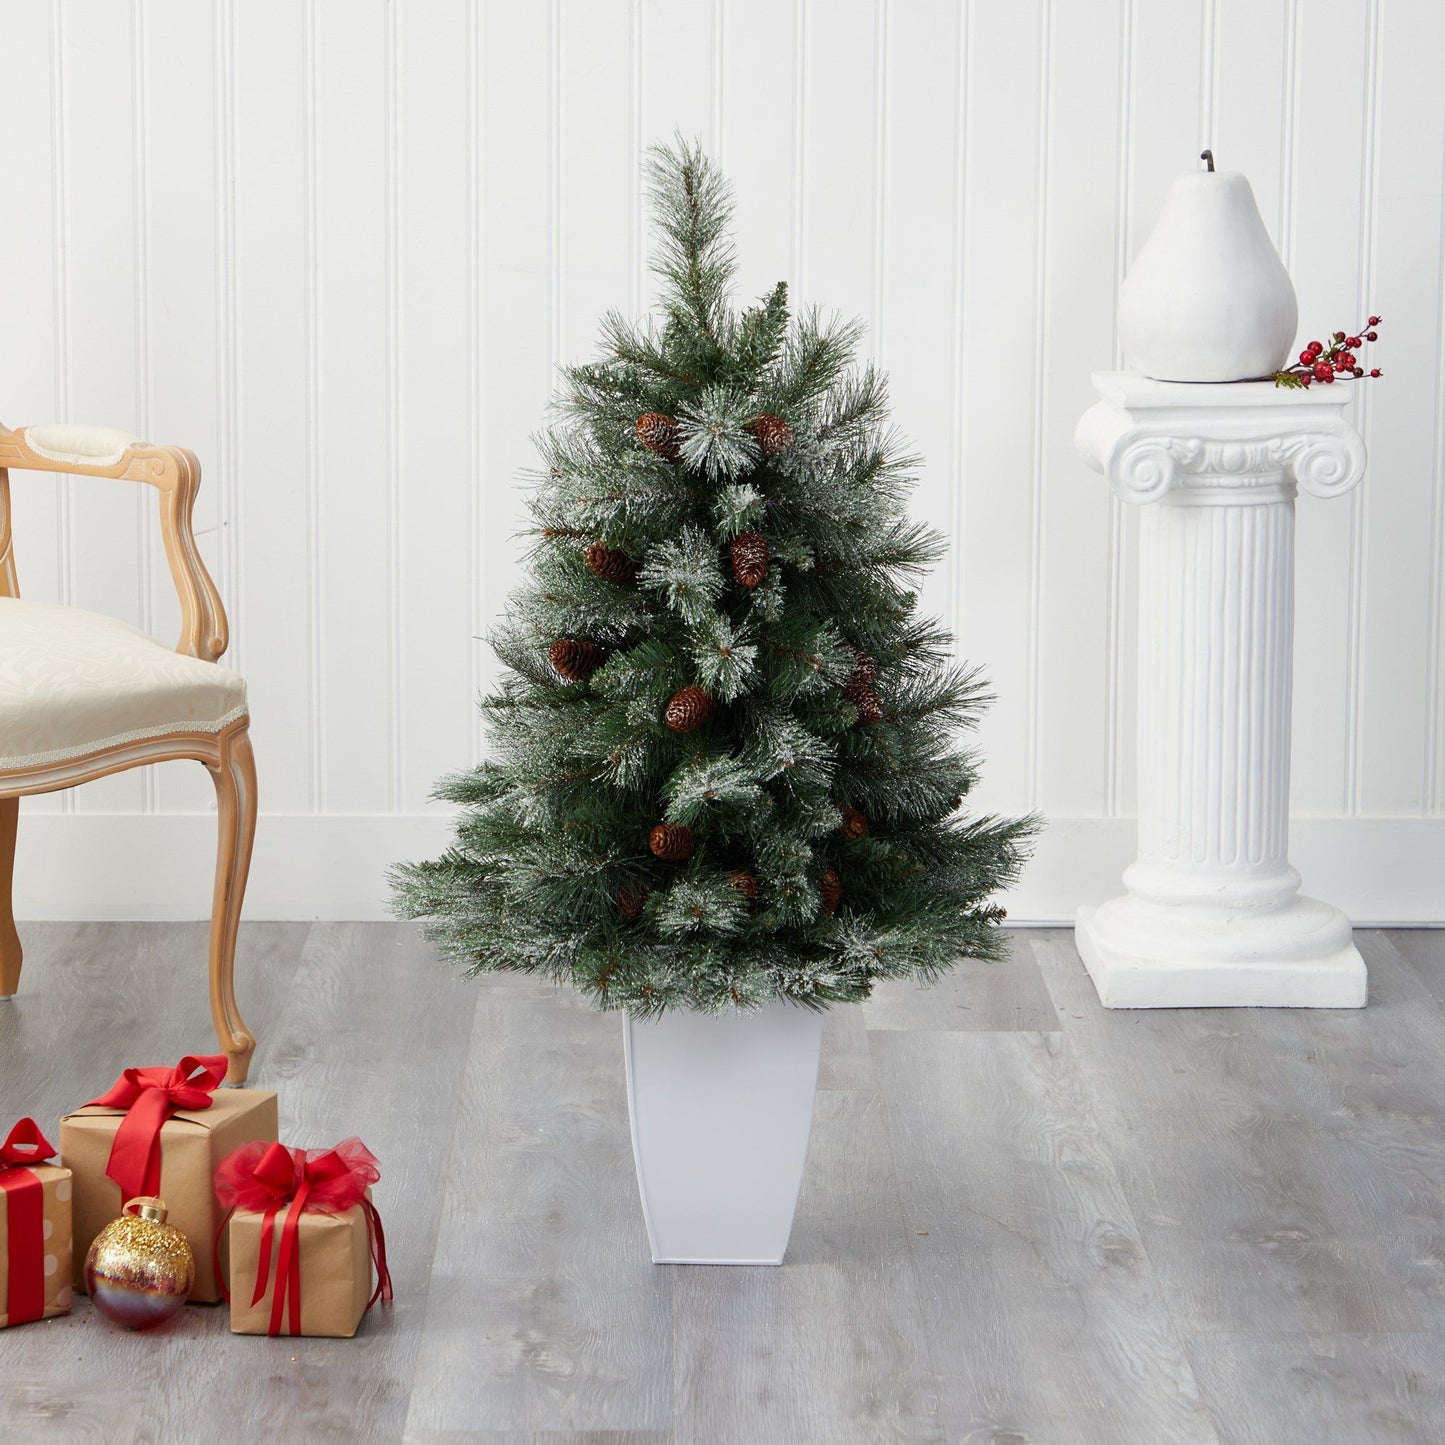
(1209, 300)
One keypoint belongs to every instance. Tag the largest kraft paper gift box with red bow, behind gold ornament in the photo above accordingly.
(178, 1125)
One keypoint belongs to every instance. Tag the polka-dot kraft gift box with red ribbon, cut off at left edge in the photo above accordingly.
(35, 1229)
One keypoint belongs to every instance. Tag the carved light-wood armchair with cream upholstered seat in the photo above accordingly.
(83, 696)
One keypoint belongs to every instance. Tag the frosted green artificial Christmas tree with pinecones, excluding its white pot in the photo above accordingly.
(683, 810)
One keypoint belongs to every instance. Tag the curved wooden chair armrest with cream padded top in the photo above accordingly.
(174, 472)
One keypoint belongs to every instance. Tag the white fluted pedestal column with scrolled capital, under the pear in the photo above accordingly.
(1213, 915)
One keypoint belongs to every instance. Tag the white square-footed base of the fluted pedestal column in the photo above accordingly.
(1151, 956)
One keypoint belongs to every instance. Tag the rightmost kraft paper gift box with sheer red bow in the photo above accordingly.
(301, 1252)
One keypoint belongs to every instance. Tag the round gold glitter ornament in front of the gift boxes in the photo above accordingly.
(139, 1269)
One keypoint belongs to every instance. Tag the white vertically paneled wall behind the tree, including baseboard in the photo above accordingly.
(340, 248)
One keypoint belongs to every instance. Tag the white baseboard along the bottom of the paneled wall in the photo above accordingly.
(124, 866)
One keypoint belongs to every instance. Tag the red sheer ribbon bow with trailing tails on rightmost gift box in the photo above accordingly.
(267, 1178)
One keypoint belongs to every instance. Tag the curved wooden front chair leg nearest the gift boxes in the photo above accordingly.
(235, 778)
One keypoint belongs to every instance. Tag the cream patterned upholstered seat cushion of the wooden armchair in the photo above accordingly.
(74, 683)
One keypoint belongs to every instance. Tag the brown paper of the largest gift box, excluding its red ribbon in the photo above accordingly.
(191, 1145)
